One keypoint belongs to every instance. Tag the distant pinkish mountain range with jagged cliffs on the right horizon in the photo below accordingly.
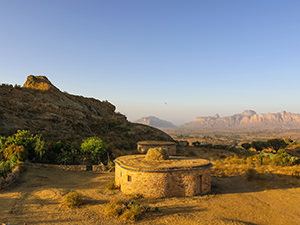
(249, 119)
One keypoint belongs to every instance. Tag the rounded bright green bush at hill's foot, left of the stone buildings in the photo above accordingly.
(94, 147)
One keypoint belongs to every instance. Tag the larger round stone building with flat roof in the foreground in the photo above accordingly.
(176, 176)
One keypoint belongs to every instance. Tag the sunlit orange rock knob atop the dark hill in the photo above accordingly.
(39, 83)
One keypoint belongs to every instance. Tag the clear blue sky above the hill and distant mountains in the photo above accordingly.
(176, 60)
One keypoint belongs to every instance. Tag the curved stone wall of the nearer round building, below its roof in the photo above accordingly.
(159, 184)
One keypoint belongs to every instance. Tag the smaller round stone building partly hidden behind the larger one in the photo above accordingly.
(170, 147)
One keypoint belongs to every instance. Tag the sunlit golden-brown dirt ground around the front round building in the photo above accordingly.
(36, 200)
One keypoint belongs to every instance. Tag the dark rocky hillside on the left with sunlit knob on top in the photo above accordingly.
(42, 108)
